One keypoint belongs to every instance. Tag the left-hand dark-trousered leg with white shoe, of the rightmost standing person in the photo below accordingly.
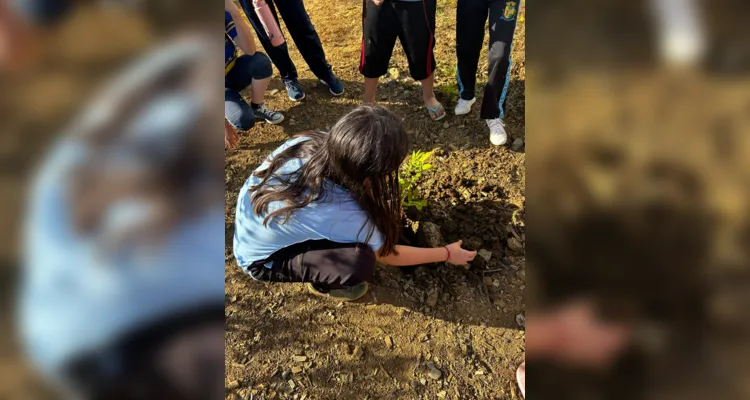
(471, 17)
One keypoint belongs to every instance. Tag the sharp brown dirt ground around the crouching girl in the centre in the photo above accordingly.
(440, 332)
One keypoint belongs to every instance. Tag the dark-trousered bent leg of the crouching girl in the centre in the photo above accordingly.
(328, 265)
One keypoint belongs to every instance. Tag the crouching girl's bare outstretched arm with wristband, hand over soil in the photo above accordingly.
(407, 255)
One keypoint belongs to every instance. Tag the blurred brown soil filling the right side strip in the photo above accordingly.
(638, 195)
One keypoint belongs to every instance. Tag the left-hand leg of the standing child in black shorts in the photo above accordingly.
(379, 32)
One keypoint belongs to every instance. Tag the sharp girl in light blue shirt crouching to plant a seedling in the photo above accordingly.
(324, 207)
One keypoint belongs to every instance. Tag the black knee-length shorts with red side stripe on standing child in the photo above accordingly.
(413, 22)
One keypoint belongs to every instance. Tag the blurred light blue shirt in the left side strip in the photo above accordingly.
(76, 299)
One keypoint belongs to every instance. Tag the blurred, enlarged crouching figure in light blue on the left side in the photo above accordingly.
(122, 292)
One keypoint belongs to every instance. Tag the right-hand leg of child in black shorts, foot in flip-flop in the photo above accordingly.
(416, 32)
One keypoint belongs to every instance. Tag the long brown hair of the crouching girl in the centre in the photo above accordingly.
(362, 153)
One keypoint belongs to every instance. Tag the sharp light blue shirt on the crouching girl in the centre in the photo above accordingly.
(337, 217)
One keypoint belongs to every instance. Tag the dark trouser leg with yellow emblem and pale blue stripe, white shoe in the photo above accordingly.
(503, 16)
